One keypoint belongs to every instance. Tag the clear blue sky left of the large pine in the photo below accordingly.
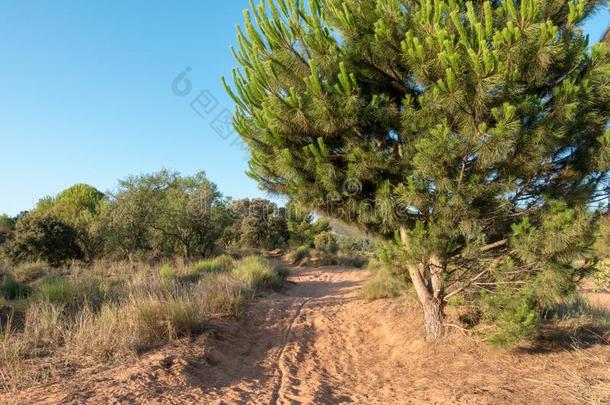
(86, 94)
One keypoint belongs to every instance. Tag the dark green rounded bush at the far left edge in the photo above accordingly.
(43, 237)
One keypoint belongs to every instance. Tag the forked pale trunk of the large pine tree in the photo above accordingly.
(429, 292)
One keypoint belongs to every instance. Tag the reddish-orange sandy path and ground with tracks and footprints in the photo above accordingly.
(317, 342)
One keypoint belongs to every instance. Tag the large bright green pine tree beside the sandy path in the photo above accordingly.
(474, 134)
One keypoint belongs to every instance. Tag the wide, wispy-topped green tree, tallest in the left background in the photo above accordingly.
(167, 214)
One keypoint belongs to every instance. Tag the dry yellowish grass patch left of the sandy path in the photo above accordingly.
(90, 318)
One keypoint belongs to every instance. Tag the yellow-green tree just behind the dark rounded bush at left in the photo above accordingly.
(79, 205)
